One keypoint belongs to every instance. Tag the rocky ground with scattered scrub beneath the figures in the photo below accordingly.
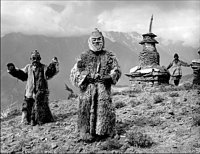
(162, 120)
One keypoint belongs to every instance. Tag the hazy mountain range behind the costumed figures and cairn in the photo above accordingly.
(16, 48)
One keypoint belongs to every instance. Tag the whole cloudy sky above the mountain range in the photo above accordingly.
(173, 20)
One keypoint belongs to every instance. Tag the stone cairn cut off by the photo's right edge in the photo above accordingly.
(196, 70)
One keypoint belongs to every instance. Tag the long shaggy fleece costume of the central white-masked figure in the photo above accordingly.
(96, 115)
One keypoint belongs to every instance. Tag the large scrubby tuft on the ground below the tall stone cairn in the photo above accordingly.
(138, 139)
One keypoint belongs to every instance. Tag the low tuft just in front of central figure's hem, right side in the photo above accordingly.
(111, 144)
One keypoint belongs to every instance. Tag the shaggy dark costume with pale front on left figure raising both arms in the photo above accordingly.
(35, 104)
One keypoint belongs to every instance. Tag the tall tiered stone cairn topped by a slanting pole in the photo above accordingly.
(149, 71)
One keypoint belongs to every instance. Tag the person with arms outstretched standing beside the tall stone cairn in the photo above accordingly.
(176, 69)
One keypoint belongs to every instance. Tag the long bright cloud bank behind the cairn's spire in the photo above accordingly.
(175, 25)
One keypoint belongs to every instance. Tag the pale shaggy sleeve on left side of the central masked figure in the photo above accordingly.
(78, 77)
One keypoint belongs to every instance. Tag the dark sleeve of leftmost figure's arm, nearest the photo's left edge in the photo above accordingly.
(21, 74)
